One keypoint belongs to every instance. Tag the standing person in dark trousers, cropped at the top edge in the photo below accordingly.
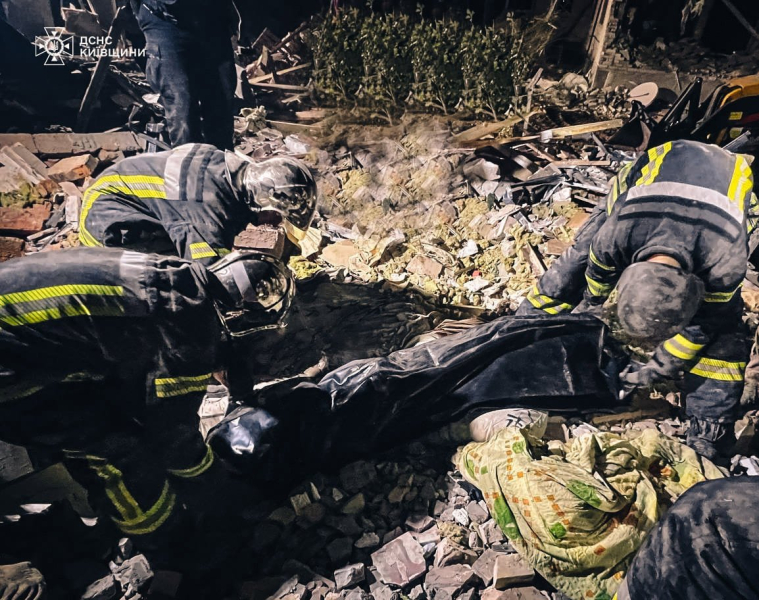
(190, 63)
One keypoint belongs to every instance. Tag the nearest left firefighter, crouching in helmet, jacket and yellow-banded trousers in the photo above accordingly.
(105, 355)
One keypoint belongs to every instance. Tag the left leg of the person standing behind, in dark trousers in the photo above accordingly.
(169, 66)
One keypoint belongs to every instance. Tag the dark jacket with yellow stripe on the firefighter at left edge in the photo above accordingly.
(107, 313)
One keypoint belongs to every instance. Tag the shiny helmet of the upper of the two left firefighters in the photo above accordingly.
(280, 184)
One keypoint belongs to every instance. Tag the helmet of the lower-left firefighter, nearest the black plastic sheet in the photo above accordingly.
(259, 290)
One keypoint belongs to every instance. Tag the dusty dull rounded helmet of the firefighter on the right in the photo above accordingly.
(655, 301)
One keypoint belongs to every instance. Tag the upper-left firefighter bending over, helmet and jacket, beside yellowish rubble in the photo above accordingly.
(194, 200)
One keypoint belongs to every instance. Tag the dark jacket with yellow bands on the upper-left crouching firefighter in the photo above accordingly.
(185, 194)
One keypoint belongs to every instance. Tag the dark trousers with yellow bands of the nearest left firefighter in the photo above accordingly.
(133, 463)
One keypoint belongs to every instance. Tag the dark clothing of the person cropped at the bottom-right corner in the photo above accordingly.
(705, 547)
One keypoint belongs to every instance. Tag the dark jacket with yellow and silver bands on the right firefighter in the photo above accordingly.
(687, 200)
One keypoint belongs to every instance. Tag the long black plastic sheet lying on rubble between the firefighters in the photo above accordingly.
(369, 405)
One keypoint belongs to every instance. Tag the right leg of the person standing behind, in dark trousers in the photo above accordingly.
(216, 79)
